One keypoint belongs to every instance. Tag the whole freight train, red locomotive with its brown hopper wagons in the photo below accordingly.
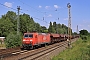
(31, 40)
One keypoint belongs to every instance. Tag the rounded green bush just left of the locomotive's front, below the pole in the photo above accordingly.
(12, 40)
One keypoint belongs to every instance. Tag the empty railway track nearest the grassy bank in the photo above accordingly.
(43, 52)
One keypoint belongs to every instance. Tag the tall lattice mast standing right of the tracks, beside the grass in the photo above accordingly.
(69, 22)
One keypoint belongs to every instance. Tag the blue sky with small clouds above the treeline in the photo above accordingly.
(51, 10)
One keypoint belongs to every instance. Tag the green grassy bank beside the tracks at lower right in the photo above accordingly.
(80, 51)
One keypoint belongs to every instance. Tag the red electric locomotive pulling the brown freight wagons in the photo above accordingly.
(35, 39)
